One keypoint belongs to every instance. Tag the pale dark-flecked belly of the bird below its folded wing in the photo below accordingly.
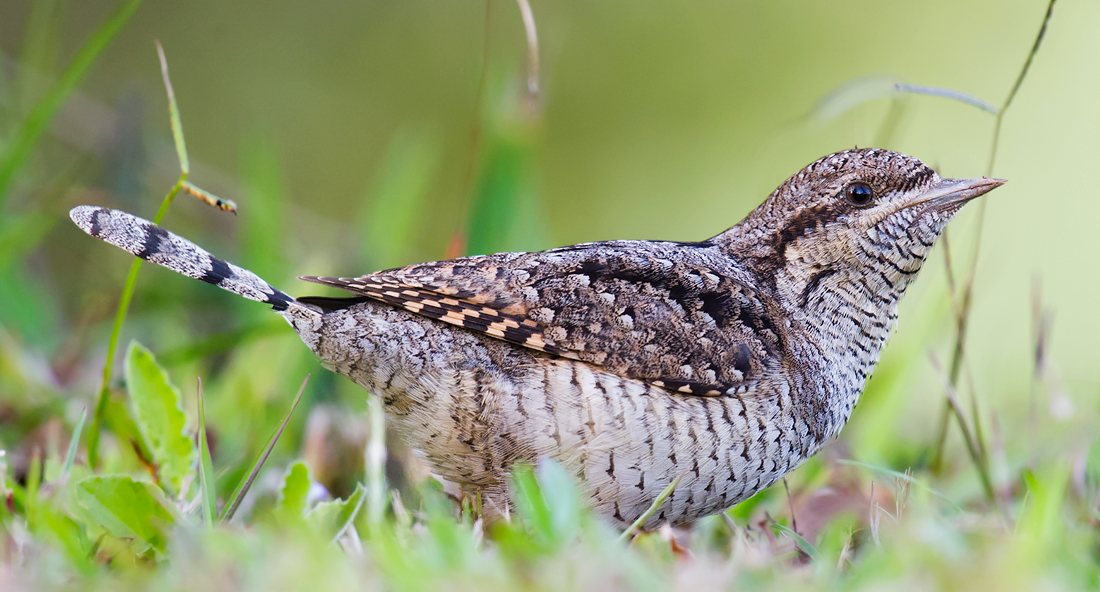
(472, 407)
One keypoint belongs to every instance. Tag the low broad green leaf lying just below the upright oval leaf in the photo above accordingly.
(128, 510)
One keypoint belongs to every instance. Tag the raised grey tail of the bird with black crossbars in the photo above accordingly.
(153, 244)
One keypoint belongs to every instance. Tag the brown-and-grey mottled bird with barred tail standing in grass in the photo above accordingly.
(725, 363)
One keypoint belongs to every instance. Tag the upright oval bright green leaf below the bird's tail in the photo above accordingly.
(160, 415)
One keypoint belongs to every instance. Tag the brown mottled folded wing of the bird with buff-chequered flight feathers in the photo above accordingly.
(673, 324)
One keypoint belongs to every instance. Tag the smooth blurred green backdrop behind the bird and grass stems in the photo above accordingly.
(359, 136)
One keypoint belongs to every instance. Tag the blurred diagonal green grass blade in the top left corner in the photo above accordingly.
(43, 113)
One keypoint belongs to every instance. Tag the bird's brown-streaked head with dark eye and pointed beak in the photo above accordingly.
(871, 214)
